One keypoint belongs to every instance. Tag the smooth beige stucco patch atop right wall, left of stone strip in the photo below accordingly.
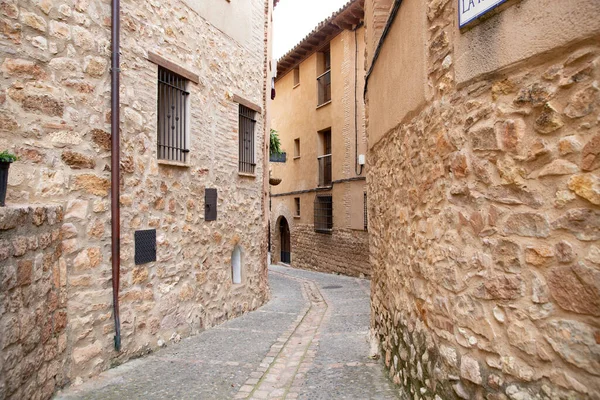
(403, 89)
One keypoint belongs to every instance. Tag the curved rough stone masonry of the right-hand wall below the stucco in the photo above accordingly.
(485, 229)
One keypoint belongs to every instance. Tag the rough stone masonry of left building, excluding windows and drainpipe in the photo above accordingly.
(55, 113)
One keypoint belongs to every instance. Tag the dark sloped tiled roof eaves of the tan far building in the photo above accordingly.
(347, 17)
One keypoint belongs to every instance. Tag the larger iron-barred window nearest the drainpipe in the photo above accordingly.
(173, 117)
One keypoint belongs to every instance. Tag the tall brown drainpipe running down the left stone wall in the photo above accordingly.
(115, 160)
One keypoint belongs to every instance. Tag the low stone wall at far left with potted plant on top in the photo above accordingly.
(33, 299)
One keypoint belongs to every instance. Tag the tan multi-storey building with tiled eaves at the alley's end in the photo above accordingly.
(319, 116)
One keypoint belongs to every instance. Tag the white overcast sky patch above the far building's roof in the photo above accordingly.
(294, 19)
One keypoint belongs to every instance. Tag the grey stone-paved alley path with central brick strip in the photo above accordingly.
(308, 342)
